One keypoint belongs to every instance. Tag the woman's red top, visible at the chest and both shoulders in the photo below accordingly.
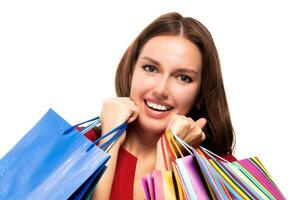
(122, 187)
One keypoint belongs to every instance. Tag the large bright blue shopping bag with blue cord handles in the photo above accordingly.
(53, 161)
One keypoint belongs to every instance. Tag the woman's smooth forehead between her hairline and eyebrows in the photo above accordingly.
(175, 51)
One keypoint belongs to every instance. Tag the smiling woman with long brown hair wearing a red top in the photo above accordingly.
(168, 78)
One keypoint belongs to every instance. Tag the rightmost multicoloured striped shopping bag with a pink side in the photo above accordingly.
(245, 179)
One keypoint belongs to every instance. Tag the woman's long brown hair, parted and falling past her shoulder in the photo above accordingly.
(211, 102)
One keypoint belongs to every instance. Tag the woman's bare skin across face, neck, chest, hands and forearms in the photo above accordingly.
(168, 73)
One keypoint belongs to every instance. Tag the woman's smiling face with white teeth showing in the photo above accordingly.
(165, 81)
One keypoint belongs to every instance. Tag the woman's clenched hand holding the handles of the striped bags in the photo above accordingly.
(187, 129)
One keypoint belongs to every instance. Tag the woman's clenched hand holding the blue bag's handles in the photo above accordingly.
(116, 111)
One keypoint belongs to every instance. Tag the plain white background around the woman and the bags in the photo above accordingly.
(63, 55)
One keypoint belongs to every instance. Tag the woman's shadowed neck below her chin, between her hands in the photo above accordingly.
(140, 142)
